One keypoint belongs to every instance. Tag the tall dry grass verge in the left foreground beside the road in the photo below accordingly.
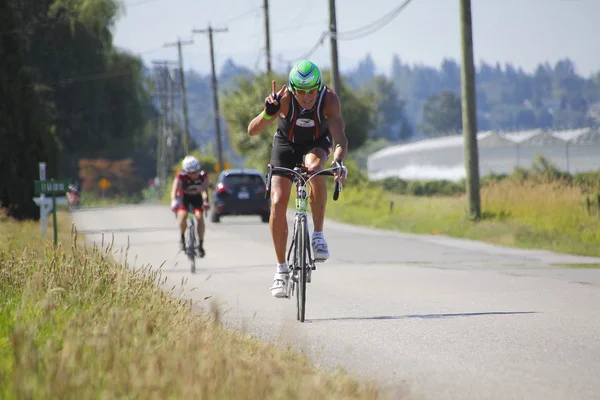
(74, 324)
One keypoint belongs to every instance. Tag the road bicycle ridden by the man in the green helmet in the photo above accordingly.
(299, 256)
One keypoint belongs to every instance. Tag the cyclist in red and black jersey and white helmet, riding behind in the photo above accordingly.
(190, 190)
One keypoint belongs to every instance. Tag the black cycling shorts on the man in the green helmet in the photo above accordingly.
(288, 154)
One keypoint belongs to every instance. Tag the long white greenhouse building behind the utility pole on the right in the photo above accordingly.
(443, 158)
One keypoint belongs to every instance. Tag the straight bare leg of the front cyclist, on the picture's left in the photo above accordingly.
(280, 196)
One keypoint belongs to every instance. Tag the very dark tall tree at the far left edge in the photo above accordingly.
(26, 138)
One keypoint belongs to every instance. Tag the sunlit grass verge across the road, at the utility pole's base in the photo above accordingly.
(551, 216)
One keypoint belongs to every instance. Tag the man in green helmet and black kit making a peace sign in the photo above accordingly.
(309, 119)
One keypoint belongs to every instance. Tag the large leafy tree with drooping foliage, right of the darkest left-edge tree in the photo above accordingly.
(95, 94)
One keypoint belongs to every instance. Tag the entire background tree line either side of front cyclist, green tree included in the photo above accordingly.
(413, 101)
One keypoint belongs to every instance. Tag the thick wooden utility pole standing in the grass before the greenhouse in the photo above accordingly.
(469, 116)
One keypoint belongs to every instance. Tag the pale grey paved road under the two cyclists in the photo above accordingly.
(437, 317)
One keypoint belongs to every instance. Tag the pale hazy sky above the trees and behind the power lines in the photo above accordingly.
(523, 32)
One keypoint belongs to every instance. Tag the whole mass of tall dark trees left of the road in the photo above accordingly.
(67, 93)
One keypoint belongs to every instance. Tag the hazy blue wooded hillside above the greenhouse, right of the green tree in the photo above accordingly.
(427, 99)
